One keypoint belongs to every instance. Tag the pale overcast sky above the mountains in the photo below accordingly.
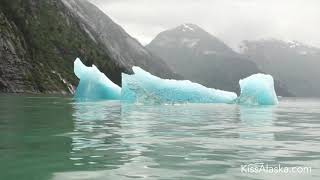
(230, 20)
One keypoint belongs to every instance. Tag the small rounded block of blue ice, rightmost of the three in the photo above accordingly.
(257, 89)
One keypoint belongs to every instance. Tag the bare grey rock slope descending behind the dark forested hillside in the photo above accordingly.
(124, 49)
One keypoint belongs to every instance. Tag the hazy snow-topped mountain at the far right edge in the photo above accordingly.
(295, 64)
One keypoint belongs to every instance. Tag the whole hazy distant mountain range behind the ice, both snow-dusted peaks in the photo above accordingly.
(203, 58)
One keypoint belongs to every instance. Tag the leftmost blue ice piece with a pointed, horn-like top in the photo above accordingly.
(94, 85)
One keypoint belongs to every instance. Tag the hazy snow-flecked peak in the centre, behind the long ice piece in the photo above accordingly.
(203, 58)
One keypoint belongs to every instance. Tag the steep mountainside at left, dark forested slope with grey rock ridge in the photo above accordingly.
(40, 39)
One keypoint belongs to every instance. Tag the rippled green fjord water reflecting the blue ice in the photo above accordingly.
(57, 138)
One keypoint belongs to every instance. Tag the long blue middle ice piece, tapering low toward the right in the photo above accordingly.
(143, 87)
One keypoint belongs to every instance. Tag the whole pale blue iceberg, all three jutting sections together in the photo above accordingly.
(145, 88)
